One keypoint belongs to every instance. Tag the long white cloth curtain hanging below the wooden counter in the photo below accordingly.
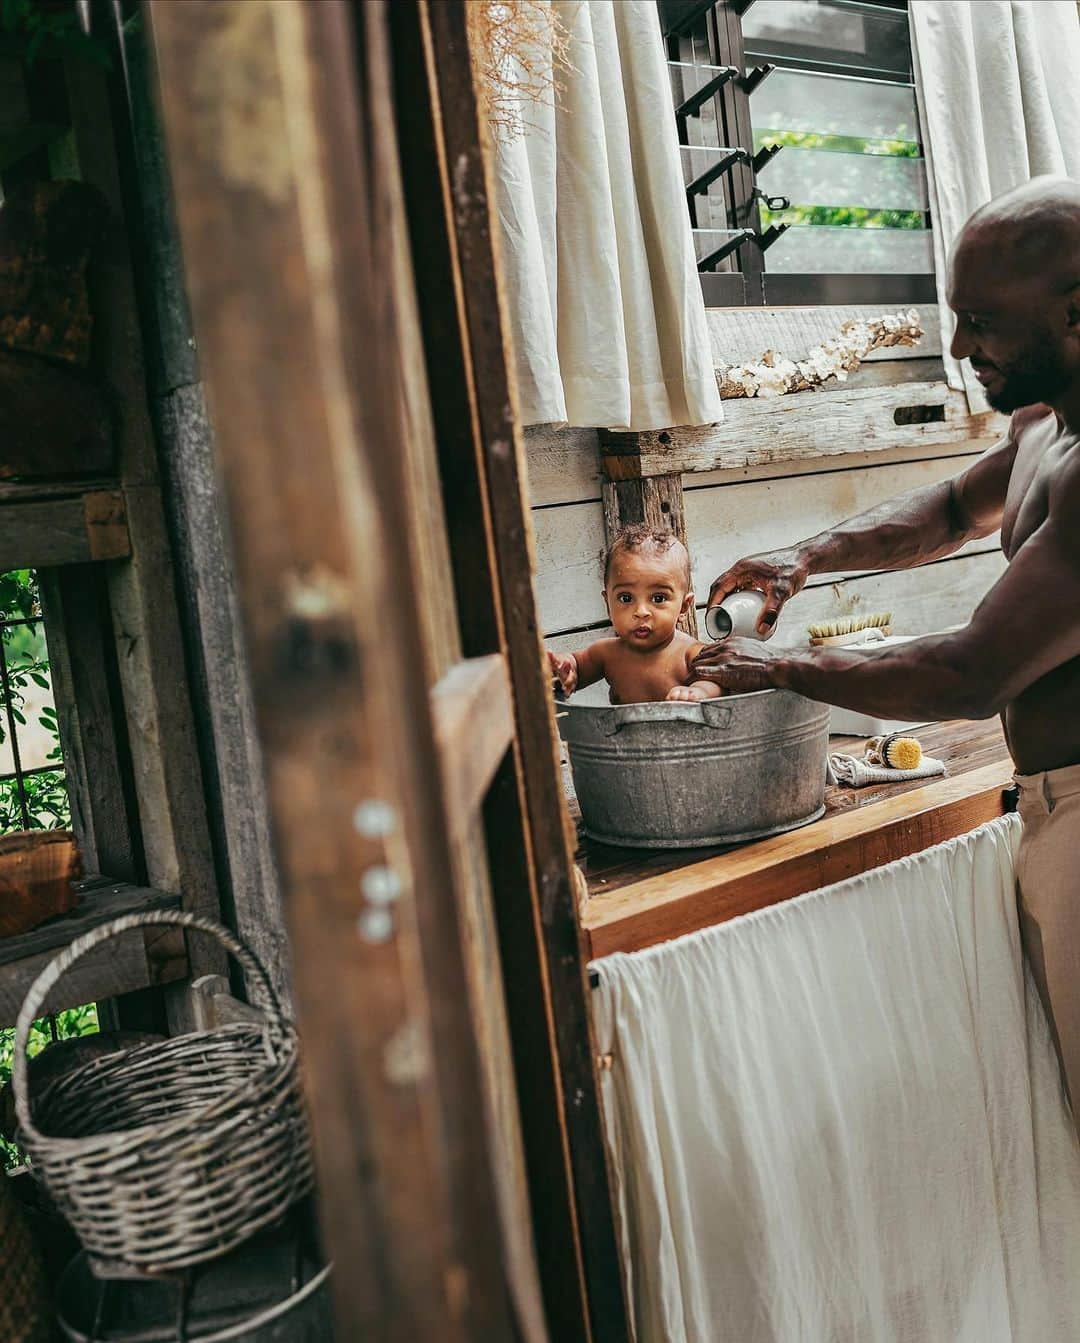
(842, 1119)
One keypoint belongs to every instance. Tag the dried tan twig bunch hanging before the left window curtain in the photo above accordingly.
(519, 49)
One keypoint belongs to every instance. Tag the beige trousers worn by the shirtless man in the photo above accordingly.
(1048, 888)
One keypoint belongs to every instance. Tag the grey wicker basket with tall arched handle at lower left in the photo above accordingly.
(170, 1154)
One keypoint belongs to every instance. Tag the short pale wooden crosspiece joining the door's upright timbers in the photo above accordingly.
(474, 711)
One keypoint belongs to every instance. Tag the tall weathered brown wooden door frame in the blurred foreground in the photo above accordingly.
(277, 140)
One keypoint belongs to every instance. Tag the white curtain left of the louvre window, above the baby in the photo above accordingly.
(605, 303)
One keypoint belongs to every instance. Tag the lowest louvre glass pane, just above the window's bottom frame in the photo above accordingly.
(816, 250)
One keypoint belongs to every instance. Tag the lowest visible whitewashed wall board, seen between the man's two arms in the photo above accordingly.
(936, 597)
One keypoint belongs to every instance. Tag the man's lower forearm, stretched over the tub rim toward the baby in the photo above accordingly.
(926, 680)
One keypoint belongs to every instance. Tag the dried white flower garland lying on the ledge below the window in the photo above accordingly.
(774, 375)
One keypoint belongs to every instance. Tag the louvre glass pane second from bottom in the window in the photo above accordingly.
(825, 178)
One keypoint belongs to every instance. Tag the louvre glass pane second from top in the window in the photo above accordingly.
(835, 105)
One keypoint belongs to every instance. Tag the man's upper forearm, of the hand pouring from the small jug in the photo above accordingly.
(915, 528)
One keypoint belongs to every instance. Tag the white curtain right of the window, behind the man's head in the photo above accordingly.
(999, 87)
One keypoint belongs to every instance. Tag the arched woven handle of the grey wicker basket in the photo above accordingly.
(62, 962)
